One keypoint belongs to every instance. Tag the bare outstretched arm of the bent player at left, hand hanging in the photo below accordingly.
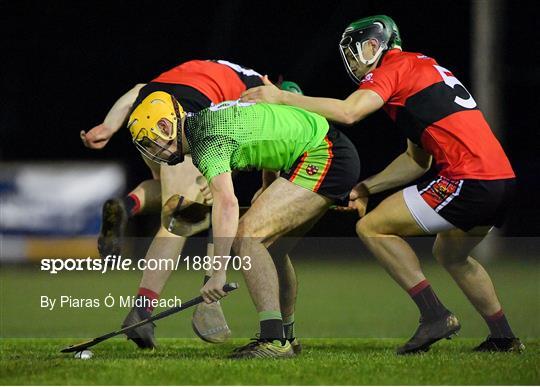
(99, 136)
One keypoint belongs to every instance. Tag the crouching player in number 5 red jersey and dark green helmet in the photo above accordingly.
(469, 196)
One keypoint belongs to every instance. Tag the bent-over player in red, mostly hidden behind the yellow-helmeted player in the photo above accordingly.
(180, 192)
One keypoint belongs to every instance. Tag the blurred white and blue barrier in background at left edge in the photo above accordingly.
(58, 201)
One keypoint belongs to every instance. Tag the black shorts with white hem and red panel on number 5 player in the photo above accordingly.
(444, 203)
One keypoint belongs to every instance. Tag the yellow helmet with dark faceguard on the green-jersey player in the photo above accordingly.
(154, 128)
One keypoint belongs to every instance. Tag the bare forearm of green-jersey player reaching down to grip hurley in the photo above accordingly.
(225, 212)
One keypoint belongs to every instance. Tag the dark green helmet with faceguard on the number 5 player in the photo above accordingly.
(380, 27)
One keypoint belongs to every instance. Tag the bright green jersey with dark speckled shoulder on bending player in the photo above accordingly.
(235, 135)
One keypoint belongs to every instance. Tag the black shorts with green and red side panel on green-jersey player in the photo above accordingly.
(332, 169)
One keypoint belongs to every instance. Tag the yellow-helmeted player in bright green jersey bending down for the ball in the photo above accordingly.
(307, 166)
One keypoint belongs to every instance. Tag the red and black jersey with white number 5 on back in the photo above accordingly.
(437, 112)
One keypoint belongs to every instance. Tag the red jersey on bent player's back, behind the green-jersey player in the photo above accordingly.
(218, 80)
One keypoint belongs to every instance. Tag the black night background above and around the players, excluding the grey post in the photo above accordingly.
(65, 63)
